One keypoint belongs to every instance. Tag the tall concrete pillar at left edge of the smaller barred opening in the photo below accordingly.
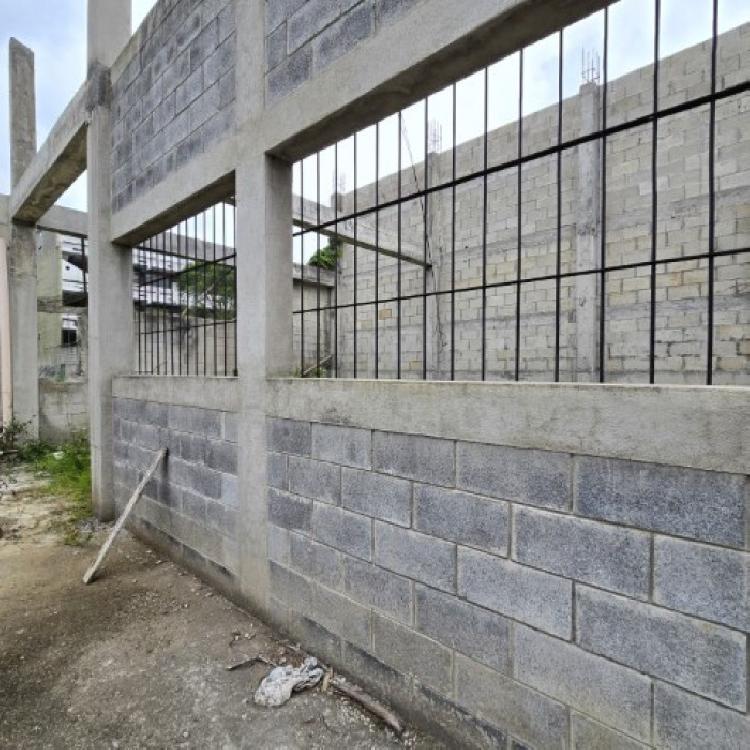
(110, 267)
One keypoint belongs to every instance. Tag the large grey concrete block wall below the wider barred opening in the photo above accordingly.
(521, 595)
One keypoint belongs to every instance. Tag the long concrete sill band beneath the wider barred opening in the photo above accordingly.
(692, 426)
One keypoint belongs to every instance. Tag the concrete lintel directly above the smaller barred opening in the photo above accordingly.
(205, 180)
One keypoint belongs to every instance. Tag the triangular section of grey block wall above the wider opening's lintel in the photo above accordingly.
(303, 37)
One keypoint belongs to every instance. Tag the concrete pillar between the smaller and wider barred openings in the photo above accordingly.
(264, 303)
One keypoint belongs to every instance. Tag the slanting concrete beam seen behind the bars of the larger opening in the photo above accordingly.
(384, 241)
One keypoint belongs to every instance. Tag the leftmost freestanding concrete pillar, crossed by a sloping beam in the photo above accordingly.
(21, 252)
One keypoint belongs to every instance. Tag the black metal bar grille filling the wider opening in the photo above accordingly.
(421, 255)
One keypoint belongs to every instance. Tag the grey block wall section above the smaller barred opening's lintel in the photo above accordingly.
(175, 97)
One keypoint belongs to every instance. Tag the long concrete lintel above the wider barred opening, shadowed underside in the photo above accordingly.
(430, 47)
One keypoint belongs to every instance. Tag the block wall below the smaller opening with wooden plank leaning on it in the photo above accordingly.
(191, 507)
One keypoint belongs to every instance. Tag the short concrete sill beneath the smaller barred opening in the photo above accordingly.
(220, 394)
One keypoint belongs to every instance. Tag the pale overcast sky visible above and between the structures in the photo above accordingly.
(56, 31)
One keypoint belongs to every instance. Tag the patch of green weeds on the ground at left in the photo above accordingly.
(68, 469)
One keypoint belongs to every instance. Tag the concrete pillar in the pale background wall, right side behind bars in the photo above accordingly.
(588, 239)
